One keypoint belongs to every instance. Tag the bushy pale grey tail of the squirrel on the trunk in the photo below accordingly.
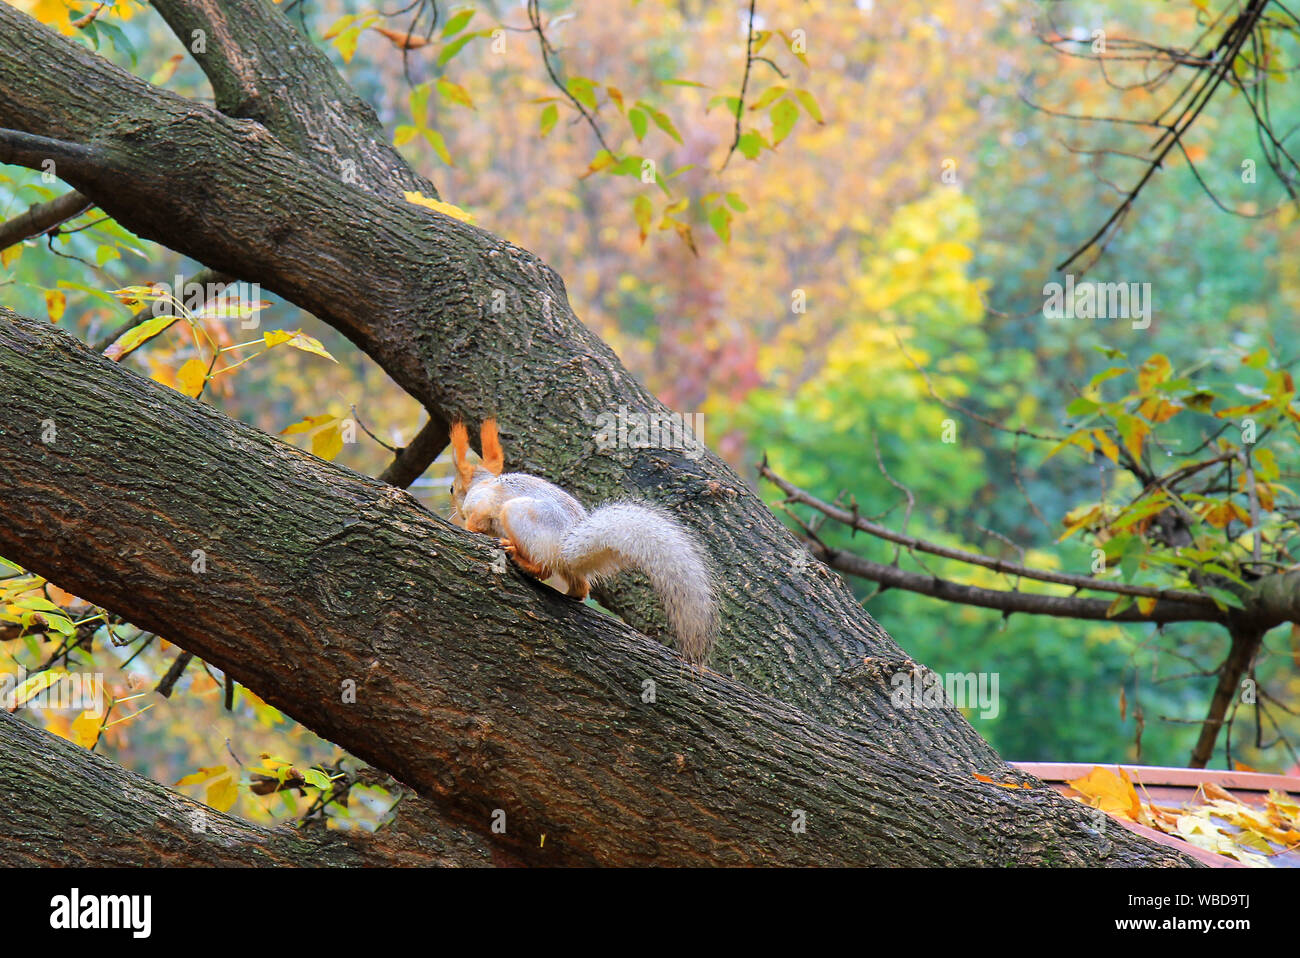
(634, 535)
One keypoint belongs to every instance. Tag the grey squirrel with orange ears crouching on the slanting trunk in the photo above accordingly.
(549, 534)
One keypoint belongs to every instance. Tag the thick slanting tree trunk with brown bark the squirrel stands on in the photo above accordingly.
(340, 601)
